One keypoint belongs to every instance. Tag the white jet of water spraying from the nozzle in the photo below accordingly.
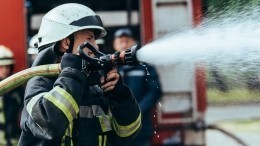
(222, 42)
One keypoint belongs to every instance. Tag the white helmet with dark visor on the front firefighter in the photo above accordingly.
(66, 19)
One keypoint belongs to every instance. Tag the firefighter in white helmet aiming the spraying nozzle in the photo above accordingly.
(76, 108)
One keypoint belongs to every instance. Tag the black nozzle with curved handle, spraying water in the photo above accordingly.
(103, 61)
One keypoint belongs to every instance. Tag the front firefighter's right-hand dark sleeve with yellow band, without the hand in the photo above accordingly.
(125, 119)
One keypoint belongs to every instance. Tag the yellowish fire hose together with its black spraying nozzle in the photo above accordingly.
(101, 61)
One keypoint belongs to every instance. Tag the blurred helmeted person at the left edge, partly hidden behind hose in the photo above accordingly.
(11, 104)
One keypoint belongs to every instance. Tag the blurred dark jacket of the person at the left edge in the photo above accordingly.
(11, 105)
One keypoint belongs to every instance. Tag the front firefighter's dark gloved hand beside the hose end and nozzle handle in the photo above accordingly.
(74, 61)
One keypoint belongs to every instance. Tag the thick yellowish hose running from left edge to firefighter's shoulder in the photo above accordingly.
(20, 78)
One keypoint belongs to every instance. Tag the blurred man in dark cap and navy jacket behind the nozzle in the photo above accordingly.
(145, 84)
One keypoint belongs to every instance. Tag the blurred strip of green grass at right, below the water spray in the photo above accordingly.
(234, 96)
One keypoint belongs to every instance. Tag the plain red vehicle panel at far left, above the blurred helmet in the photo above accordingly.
(13, 30)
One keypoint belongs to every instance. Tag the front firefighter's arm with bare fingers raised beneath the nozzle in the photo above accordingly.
(126, 115)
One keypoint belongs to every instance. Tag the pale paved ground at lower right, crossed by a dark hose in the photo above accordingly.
(228, 117)
